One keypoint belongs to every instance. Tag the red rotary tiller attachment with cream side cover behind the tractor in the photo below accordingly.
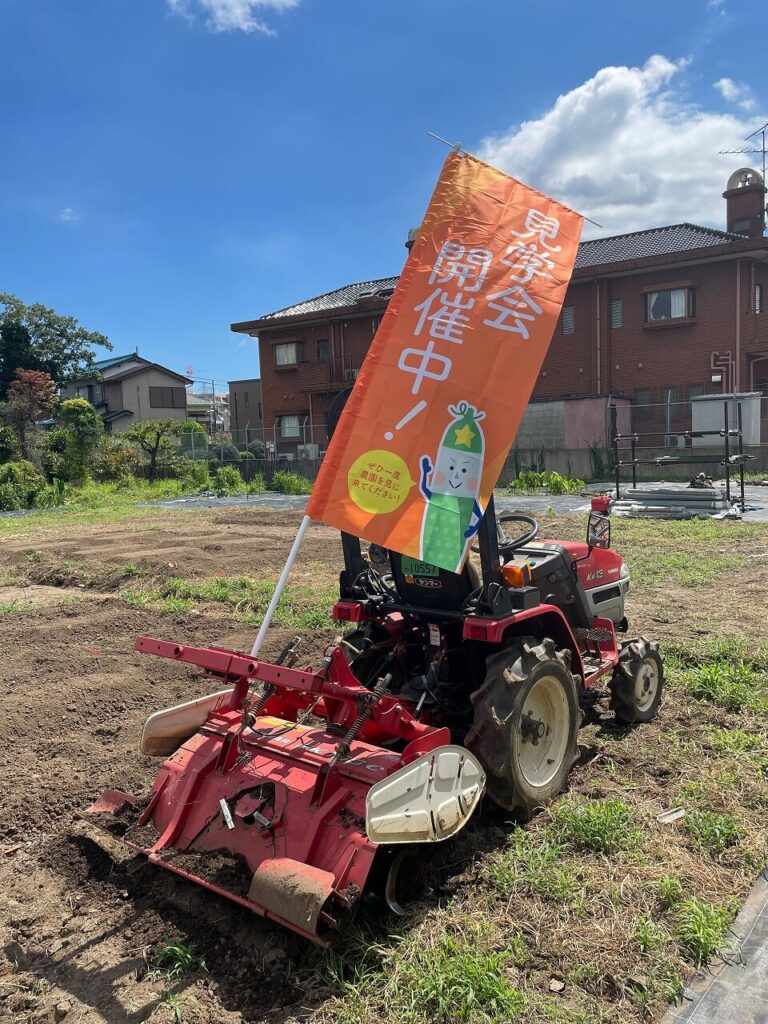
(280, 800)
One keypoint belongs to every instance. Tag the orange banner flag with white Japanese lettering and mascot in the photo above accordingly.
(441, 395)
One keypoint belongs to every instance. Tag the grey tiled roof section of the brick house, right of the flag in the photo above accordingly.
(652, 242)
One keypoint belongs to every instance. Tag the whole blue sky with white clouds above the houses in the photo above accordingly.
(170, 166)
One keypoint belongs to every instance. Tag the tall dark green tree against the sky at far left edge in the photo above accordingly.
(37, 338)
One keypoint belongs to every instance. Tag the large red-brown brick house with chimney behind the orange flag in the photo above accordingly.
(658, 317)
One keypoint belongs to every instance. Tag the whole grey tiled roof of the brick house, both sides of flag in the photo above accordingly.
(594, 252)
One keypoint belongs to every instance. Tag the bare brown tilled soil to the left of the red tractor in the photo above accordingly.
(74, 696)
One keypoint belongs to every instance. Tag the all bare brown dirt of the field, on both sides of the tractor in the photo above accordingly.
(78, 937)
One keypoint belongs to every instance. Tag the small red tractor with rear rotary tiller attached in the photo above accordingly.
(282, 790)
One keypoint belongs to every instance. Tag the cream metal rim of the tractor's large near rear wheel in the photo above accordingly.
(546, 703)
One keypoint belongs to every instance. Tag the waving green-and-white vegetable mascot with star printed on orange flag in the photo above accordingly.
(451, 489)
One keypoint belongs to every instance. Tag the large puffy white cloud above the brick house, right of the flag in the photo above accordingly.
(626, 150)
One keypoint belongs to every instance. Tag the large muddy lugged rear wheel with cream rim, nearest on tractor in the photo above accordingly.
(526, 726)
